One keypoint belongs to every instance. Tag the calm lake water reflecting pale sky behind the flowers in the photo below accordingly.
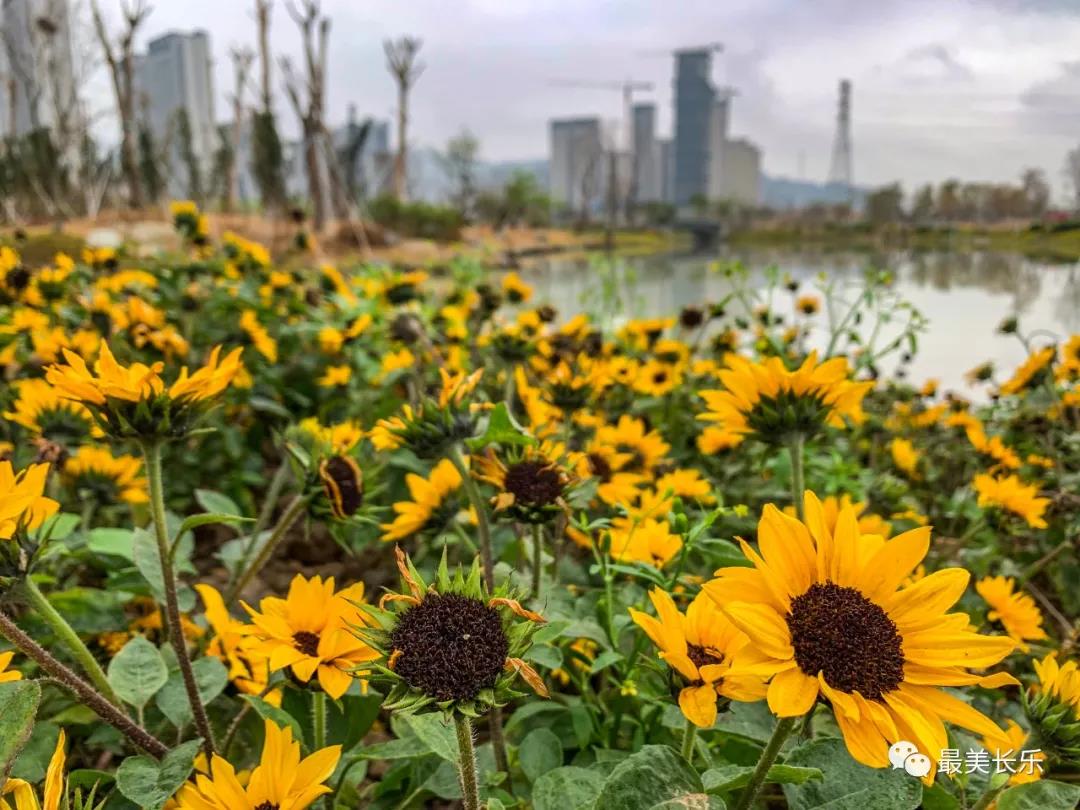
(963, 296)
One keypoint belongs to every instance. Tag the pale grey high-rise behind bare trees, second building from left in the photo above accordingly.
(175, 78)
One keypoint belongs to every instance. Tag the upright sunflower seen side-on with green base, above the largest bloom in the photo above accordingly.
(775, 404)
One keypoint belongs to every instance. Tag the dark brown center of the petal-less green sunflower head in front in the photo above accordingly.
(452, 646)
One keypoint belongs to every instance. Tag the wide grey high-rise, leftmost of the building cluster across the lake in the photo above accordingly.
(577, 165)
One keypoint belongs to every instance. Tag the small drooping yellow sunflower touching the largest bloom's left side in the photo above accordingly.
(701, 647)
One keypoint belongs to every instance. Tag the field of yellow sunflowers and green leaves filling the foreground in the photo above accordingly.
(279, 534)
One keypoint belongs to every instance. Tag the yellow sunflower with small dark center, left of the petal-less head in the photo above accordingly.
(308, 632)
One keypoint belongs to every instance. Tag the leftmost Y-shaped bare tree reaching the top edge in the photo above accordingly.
(120, 58)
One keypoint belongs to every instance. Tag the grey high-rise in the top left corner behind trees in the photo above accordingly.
(36, 63)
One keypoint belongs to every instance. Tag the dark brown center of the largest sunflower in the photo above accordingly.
(850, 641)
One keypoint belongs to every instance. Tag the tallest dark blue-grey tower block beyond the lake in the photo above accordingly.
(695, 114)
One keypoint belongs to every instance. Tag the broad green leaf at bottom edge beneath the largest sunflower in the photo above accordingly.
(847, 785)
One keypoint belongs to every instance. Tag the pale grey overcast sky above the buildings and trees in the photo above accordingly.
(971, 89)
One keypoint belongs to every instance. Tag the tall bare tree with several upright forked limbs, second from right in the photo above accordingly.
(309, 19)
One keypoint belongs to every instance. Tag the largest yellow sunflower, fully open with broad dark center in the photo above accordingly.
(828, 618)
